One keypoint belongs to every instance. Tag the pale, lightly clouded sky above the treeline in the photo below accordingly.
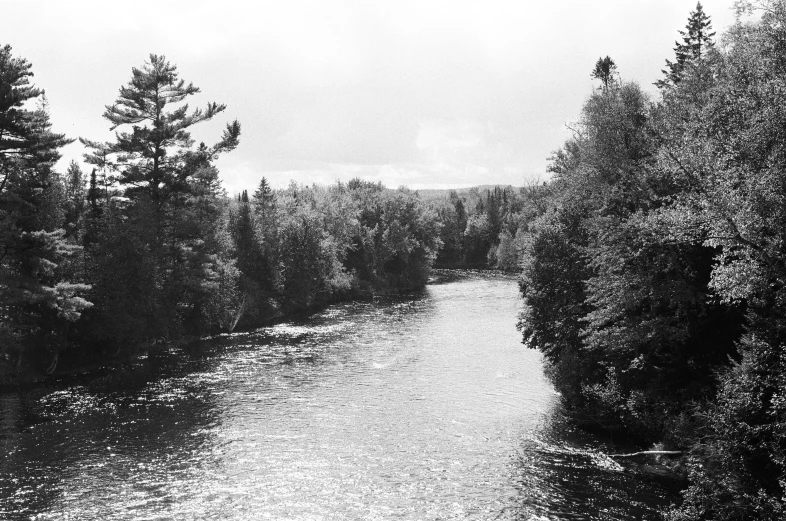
(428, 94)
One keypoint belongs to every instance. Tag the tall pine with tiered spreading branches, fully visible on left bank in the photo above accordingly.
(170, 193)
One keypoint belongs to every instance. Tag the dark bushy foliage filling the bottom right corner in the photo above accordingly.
(737, 465)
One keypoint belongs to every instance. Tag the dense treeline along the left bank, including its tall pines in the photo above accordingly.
(150, 249)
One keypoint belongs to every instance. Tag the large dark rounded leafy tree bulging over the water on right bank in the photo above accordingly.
(615, 290)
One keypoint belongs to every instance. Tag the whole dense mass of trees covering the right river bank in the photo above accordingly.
(655, 279)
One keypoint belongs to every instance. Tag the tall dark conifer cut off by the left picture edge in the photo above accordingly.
(37, 299)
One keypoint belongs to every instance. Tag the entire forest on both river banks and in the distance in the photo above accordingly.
(652, 261)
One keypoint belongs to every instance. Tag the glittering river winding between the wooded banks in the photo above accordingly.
(424, 407)
